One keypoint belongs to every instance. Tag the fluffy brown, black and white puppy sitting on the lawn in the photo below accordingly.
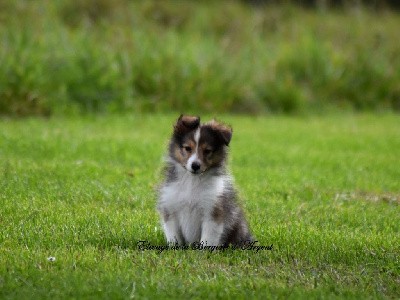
(197, 200)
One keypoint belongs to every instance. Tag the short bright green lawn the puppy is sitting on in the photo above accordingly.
(324, 191)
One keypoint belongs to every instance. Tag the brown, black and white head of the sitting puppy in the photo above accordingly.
(199, 148)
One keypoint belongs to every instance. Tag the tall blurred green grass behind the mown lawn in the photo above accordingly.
(99, 56)
